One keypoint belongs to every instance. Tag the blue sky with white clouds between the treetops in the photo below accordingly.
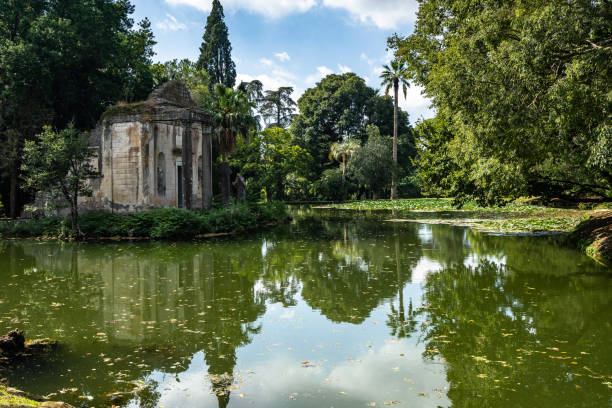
(291, 42)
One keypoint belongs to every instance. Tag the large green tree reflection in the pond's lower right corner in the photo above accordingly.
(519, 340)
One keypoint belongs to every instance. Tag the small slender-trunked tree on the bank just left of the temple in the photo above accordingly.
(59, 163)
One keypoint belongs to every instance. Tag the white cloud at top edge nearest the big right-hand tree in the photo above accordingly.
(385, 14)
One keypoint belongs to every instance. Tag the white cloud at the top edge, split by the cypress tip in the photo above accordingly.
(269, 8)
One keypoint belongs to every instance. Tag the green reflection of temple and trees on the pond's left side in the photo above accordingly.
(158, 305)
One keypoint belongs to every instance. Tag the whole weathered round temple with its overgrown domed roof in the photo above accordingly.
(153, 154)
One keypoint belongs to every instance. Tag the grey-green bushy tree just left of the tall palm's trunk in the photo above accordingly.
(372, 165)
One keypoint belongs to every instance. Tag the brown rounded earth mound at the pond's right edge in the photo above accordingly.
(594, 236)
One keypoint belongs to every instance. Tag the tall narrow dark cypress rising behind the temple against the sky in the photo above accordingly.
(216, 50)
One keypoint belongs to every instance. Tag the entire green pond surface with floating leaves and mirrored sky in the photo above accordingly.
(320, 313)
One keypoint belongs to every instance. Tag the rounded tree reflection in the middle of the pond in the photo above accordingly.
(345, 268)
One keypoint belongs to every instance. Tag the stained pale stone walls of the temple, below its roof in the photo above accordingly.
(140, 166)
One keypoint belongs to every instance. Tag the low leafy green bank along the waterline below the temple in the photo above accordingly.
(172, 223)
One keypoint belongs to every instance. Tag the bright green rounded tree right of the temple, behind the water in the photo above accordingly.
(268, 159)
